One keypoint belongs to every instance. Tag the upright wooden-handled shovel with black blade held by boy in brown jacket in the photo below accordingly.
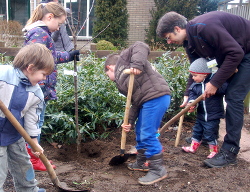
(120, 159)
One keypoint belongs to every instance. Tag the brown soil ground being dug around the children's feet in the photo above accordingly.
(186, 172)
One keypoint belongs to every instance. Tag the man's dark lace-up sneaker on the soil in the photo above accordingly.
(221, 159)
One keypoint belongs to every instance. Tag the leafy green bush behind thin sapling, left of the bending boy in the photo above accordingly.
(101, 106)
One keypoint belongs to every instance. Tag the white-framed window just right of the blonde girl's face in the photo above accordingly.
(86, 31)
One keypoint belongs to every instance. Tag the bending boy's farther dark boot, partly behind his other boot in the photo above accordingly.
(140, 163)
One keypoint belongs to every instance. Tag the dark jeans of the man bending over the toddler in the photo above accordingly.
(237, 90)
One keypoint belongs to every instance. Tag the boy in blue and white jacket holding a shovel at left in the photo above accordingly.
(21, 94)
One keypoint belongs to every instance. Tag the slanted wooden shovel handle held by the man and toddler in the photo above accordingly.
(178, 115)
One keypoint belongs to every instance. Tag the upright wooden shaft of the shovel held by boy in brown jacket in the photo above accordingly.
(127, 108)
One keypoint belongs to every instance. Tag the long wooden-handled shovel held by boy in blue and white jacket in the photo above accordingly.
(60, 186)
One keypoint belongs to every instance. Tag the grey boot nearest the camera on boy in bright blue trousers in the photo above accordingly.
(157, 170)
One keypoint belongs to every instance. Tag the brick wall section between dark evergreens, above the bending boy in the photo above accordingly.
(139, 17)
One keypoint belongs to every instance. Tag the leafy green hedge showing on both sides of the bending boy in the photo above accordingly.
(101, 106)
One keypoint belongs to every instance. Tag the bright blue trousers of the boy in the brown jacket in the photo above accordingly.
(148, 123)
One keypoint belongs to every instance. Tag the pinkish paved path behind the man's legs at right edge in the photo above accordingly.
(244, 142)
